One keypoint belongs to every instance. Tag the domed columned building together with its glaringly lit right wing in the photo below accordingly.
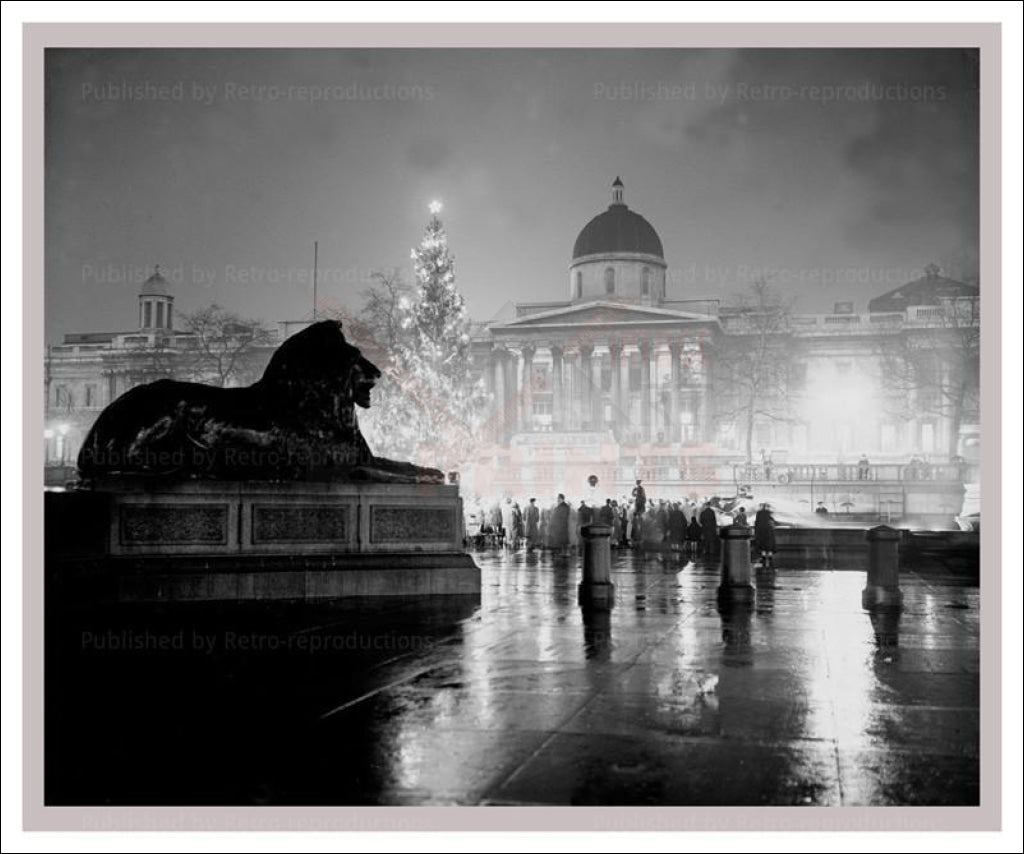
(620, 379)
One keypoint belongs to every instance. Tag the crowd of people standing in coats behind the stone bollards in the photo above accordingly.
(637, 522)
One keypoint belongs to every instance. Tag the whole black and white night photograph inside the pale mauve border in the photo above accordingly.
(528, 426)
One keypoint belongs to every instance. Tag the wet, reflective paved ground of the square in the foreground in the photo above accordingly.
(803, 699)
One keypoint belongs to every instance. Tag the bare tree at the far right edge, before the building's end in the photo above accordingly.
(934, 369)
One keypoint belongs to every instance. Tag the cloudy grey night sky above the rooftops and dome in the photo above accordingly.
(841, 178)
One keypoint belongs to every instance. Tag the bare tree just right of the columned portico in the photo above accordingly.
(752, 368)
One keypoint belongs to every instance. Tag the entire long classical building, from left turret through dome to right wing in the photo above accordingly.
(623, 379)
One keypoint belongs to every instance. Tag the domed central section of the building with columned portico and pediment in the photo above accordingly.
(620, 364)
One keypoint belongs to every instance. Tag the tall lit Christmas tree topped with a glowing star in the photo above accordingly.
(430, 407)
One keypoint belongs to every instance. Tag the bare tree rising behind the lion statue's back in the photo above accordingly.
(225, 347)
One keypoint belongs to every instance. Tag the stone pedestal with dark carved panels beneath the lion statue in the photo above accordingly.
(200, 540)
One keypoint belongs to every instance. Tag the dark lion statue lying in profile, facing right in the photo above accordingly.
(297, 423)
